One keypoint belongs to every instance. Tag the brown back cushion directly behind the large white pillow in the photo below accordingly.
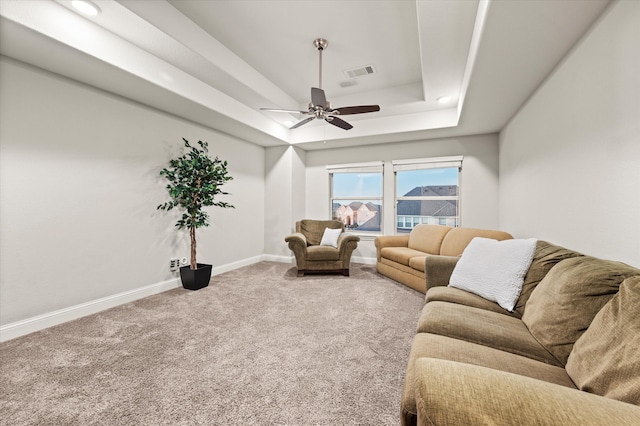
(545, 257)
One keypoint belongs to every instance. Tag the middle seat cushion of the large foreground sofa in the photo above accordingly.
(482, 327)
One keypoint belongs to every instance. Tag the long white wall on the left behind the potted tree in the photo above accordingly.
(79, 187)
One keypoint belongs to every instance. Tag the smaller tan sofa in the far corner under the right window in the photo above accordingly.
(402, 257)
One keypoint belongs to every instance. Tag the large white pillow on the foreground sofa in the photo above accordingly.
(494, 269)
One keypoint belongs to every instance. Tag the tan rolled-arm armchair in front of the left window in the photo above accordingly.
(311, 256)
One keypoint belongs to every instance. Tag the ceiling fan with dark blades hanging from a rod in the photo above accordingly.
(319, 107)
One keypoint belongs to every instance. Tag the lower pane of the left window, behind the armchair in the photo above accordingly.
(362, 214)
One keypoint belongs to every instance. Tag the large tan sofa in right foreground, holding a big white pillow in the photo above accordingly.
(567, 355)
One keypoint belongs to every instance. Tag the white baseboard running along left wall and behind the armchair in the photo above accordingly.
(40, 322)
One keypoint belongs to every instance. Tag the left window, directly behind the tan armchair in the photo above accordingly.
(356, 196)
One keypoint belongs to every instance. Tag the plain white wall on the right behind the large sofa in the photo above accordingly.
(570, 159)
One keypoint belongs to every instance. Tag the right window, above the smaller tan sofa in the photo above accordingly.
(427, 191)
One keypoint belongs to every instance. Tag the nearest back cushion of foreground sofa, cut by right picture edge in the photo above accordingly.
(605, 360)
